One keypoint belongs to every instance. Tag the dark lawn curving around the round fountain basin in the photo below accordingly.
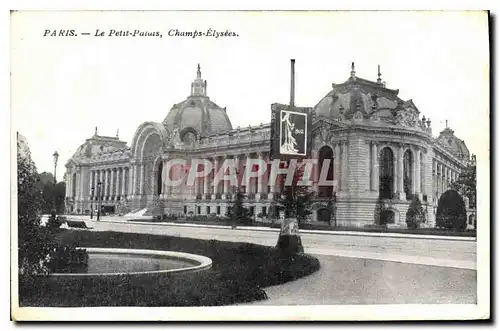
(238, 274)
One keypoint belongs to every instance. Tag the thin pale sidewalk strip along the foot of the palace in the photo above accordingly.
(267, 229)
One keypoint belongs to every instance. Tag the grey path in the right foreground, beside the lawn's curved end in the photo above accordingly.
(342, 280)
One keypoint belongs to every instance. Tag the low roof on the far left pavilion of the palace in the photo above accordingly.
(98, 145)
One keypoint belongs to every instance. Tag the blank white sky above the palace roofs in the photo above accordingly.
(63, 87)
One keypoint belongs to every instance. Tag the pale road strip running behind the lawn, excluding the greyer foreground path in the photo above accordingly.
(434, 252)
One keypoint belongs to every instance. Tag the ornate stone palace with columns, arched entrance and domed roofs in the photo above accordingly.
(381, 150)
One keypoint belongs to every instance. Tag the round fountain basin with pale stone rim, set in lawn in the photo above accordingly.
(121, 262)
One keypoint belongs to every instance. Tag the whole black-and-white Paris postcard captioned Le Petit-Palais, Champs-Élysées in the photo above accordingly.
(250, 165)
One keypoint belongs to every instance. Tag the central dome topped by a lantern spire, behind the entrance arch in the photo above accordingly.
(197, 114)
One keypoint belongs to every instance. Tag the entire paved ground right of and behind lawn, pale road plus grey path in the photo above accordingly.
(354, 269)
